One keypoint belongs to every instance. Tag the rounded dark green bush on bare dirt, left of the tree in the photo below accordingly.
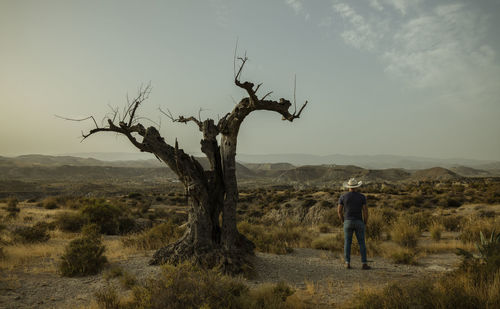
(85, 255)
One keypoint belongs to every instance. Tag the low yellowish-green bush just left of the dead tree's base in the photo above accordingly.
(156, 237)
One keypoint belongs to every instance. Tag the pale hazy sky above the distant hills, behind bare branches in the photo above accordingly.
(403, 77)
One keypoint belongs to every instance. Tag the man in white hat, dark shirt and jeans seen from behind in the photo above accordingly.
(353, 213)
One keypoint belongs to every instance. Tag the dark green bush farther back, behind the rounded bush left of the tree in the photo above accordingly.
(105, 215)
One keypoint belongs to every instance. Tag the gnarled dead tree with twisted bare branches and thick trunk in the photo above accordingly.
(212, 238)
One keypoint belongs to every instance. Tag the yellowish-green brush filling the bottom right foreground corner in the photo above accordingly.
(475, 284)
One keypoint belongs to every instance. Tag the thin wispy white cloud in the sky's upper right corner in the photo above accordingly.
(442, 48)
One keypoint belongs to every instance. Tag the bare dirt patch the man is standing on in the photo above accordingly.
(321, 276)
